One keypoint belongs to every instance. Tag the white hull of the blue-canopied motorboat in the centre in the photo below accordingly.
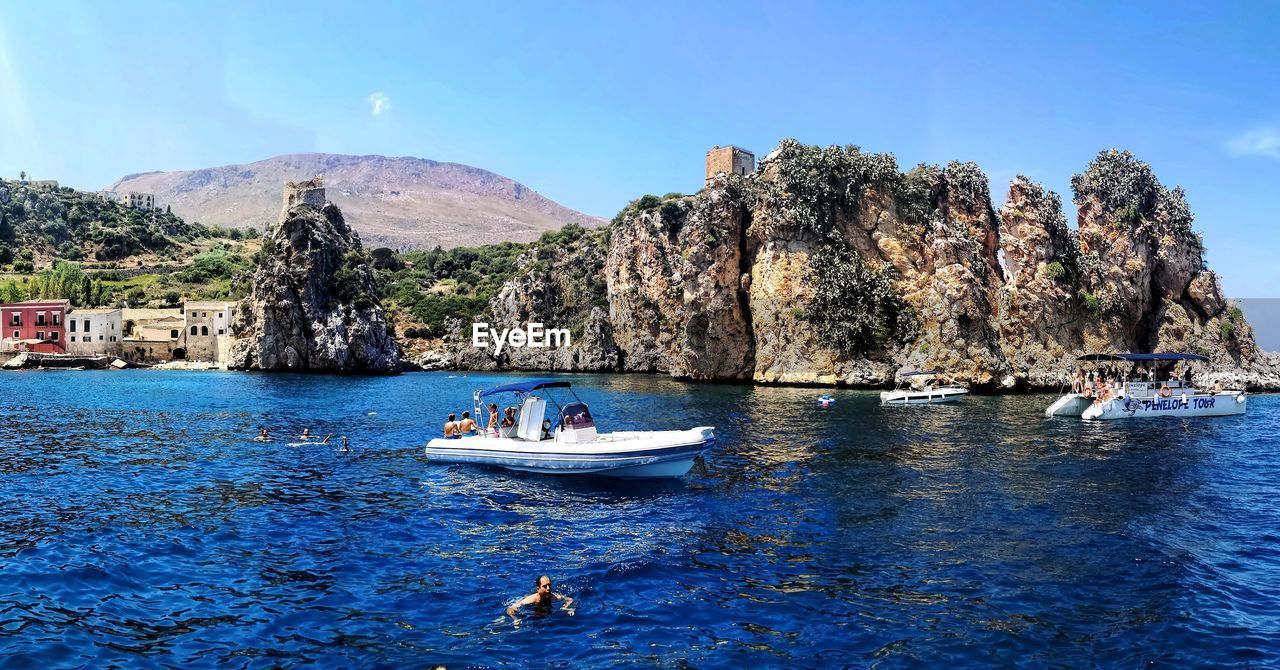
(623, 455)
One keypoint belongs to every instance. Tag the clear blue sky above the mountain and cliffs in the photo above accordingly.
(595, 104)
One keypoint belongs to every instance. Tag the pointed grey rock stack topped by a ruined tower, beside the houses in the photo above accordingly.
(313, 307)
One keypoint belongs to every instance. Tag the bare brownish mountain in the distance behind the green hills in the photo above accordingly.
(390, 202)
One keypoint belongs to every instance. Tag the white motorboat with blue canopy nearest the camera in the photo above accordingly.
(572, 445)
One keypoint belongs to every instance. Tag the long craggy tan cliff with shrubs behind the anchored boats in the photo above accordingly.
(833, 267)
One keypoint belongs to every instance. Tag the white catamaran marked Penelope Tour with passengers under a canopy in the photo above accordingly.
(1160, 395)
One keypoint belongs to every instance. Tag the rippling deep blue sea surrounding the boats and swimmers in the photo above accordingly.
(144, 527)
